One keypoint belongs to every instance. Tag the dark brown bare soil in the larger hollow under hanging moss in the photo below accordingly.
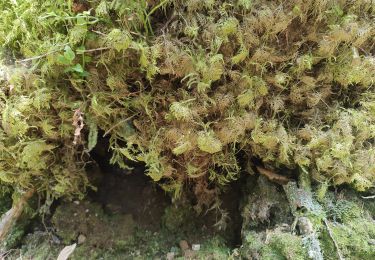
(122, 192)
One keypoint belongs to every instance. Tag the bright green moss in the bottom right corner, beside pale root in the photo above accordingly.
(352, 227)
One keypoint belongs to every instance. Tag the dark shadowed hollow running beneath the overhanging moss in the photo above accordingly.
(133, 192)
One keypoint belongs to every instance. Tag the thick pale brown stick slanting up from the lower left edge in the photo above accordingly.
(12, 215)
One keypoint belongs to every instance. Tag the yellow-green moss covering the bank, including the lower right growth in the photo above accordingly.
(201, 93)
